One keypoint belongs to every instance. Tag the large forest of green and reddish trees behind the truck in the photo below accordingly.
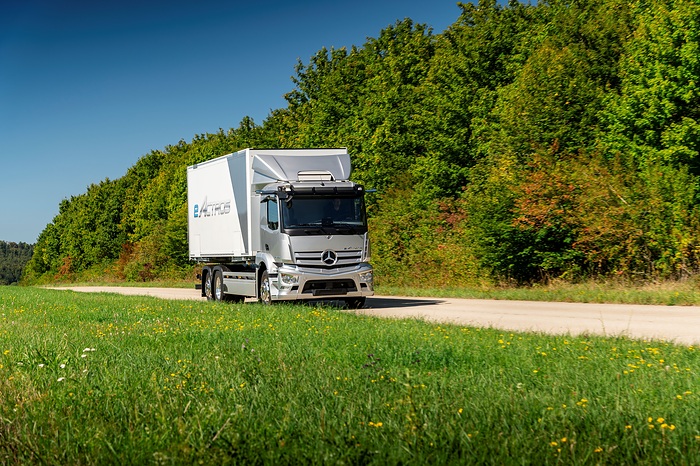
(524, 144)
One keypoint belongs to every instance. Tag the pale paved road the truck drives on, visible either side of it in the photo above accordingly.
(679, 324)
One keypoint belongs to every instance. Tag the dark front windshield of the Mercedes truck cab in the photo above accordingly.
(303, 213)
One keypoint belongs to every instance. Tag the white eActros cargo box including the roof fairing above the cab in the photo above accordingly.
(223, 208)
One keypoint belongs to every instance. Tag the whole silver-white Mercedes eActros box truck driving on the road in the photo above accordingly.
(279, 225)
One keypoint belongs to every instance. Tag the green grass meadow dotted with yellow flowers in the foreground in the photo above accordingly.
(106, 379)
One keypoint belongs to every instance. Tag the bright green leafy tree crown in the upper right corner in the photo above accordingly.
(655, 114)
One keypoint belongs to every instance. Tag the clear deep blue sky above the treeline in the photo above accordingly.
(88, 87)
